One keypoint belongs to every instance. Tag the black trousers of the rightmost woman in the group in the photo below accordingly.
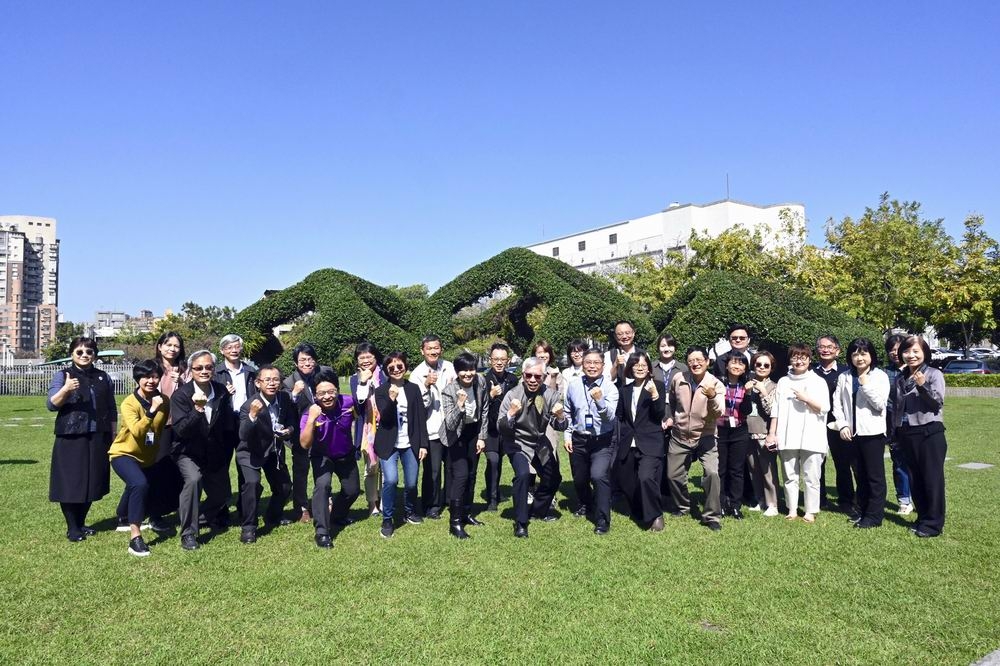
(925, 448)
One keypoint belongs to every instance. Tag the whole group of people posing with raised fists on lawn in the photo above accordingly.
(630, 424)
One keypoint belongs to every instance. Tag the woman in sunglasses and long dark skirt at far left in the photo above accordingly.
(86, 423)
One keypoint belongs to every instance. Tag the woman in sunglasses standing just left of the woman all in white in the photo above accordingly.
(763, 457)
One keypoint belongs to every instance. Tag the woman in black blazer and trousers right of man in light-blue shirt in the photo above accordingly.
(641, 448)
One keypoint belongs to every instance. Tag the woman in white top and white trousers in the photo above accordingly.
(798, 426)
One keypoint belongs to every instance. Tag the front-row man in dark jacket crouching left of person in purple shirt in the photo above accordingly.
(267, 421)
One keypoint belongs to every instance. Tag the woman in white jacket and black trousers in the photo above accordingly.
(859, 404)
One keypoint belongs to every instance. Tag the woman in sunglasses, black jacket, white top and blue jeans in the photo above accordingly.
(400, 437)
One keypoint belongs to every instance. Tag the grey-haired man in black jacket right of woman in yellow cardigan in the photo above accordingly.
(204, 424)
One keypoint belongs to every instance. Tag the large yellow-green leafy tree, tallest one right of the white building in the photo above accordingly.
(885, 267)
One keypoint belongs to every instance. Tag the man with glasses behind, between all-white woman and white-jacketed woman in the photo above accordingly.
(844, 454)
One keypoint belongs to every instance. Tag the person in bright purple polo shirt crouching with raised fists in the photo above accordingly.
(326, 434)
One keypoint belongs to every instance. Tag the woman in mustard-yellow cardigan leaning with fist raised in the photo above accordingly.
(143, 415)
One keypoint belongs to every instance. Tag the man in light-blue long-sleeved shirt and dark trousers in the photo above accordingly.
(592, 401)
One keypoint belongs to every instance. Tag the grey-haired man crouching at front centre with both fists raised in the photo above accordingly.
(525, 413)
